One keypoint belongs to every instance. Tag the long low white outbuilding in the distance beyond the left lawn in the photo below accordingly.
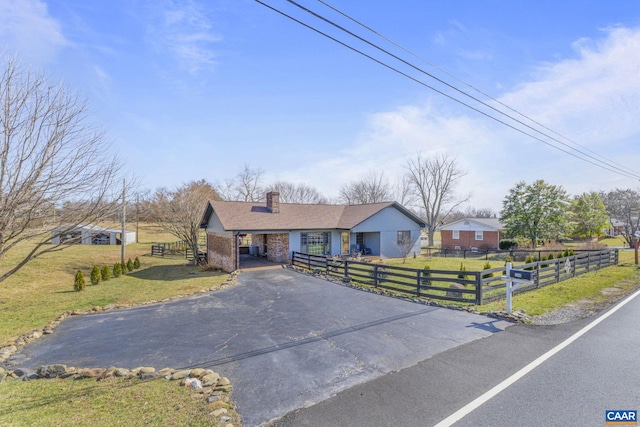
(89, 234)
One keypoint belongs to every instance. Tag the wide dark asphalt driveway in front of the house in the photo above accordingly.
(286, 340)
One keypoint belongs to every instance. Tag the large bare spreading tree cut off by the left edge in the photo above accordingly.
(55, 168)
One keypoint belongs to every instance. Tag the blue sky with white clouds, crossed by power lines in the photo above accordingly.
(190, 90)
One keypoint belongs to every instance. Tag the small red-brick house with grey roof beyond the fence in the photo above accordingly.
(469, 233)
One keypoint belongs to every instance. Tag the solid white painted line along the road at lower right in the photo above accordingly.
(470, 407)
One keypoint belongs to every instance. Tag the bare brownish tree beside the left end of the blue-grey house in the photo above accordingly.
(179, 212)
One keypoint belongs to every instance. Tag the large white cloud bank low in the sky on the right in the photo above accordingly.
(594, 99)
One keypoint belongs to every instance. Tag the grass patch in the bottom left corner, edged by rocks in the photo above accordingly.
(105, 403)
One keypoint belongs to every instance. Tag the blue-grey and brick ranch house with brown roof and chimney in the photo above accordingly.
(274, 230)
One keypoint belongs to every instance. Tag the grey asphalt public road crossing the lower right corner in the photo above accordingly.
(574, 387)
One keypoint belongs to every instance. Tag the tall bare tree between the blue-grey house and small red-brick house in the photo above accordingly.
(433, 182)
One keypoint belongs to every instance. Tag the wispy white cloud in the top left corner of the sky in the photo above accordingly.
(29, 31)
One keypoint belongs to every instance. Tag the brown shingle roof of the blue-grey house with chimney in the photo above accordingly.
(241, 216)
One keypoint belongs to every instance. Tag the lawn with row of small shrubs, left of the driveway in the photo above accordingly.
(43, 289)
